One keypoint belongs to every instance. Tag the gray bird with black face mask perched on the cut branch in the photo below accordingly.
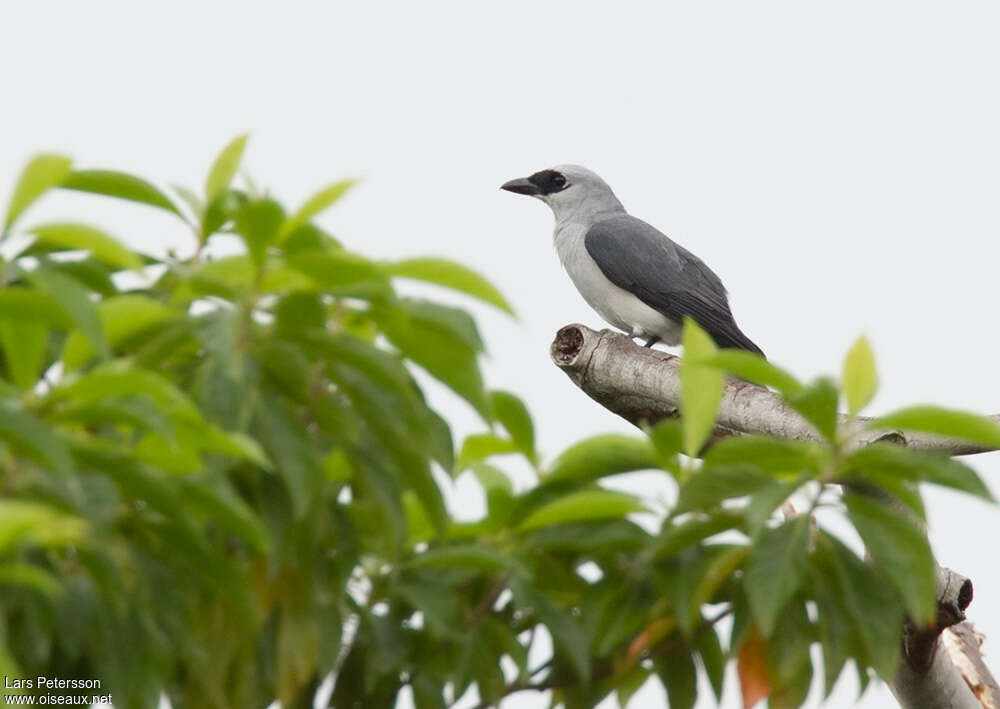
(633, 275)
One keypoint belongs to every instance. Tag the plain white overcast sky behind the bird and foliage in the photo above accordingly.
(836, 165)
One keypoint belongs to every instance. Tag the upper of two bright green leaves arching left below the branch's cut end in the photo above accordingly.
(599, 456)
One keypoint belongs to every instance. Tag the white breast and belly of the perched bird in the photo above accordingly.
(616, 305)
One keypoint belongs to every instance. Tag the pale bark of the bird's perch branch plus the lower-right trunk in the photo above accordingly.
(943, 666)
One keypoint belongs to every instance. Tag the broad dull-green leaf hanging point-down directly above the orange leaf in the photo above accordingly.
(776, 569)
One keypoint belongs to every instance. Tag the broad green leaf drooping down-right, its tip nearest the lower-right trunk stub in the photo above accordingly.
(900, 549)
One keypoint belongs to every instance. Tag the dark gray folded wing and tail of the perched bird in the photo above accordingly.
(665, 276)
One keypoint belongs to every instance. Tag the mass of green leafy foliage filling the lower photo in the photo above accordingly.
(222, 481)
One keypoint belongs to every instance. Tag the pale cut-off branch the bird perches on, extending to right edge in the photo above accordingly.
(642, 384)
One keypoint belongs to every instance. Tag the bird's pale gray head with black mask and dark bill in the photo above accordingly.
(567, 189)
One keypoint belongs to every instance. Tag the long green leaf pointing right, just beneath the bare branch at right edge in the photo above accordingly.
(884, 463)
